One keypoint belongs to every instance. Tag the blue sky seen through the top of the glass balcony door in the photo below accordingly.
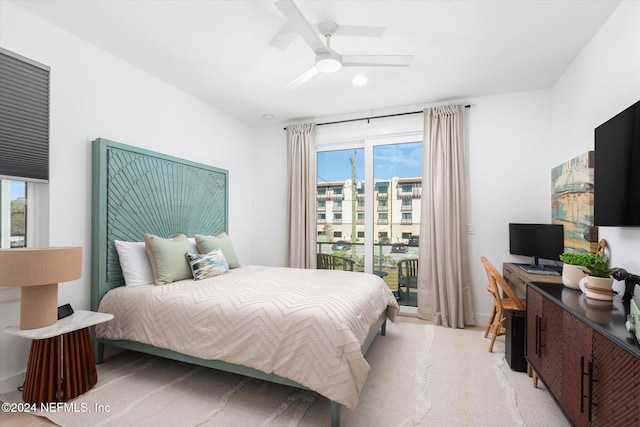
(401, 160)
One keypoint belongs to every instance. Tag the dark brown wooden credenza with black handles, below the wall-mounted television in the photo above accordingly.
(583, 353)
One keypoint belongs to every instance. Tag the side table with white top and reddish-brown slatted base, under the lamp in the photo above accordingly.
(61, 362)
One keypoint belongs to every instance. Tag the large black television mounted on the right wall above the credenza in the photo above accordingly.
(616, 183)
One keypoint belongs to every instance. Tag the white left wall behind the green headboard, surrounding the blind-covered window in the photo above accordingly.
(94, 94)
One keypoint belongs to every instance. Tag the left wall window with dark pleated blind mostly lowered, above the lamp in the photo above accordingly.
(24, 151)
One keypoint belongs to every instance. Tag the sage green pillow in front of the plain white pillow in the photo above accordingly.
(167, 258)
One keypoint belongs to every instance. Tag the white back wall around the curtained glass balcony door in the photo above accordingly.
(509, 175)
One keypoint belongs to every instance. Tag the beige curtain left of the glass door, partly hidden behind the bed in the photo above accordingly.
(301, 210)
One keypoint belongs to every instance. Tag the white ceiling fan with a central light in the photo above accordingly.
(327, 59)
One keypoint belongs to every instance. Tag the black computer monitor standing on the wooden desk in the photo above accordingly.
(544, 241)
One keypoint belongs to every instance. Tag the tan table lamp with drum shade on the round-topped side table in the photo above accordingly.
(37, 271)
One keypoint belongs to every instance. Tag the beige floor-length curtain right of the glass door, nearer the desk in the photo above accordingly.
(444, 289)
